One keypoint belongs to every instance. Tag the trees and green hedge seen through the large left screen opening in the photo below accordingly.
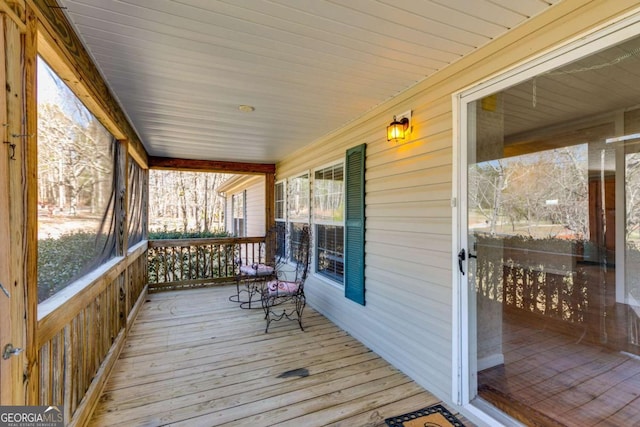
(77, 173)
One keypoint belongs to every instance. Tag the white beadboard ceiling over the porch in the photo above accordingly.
(181, 68)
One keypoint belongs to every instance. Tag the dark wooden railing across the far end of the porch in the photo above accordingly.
(189, 263)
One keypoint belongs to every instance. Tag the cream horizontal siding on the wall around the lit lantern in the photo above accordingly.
(407, 244)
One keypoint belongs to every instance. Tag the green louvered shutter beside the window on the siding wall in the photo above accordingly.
(354, 224)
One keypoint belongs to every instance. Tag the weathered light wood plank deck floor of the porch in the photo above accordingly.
(195, 359)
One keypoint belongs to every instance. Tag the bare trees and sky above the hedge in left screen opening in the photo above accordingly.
(75, 154)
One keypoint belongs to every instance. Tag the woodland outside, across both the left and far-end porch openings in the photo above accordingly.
(78, 169)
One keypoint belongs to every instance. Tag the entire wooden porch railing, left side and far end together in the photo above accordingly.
(81, 330)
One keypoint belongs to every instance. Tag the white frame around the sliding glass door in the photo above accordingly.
(463, 329)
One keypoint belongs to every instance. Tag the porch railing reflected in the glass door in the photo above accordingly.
(556, 289)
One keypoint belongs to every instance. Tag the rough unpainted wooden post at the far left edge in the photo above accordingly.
(18, 197)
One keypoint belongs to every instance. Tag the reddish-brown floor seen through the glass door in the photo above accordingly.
(562, 381)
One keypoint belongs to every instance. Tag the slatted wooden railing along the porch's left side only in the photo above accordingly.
(81, 332)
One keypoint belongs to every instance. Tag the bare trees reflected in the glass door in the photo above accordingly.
(546, 194)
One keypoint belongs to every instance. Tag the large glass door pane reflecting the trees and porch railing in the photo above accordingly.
(553, 213)
